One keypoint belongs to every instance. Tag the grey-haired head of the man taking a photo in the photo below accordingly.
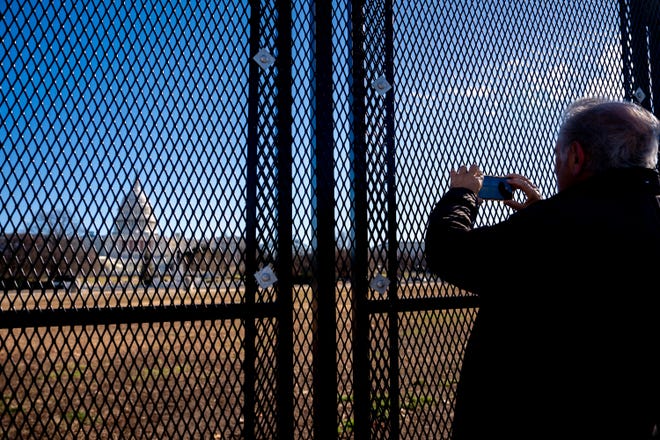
(597, 135)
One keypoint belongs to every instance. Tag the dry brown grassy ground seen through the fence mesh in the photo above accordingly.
(187, 379)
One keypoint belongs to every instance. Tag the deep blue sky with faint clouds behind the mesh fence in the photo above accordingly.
(95, 96)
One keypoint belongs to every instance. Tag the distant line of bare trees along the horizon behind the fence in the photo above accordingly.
(42, 259)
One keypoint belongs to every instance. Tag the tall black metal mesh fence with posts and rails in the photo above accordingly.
(212, 212)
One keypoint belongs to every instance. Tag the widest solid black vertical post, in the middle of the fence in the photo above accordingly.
(324, 282)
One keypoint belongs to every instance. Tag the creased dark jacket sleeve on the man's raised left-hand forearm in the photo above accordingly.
(448, 224)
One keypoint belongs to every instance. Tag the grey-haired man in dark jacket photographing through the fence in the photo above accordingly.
(566, 342)
